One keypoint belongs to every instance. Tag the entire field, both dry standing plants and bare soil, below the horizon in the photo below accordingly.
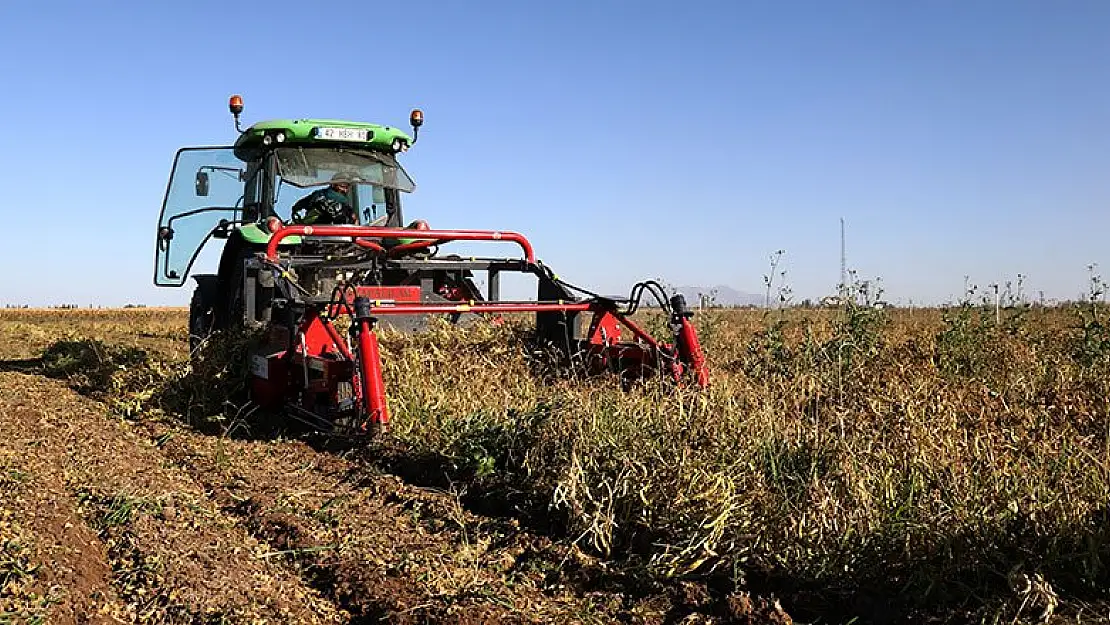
(847, 466)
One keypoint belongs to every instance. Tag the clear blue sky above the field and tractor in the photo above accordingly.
(687, 142)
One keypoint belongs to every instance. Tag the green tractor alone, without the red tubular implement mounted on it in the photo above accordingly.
(246, 193)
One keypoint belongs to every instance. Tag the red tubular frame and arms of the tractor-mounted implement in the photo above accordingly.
(360, 359)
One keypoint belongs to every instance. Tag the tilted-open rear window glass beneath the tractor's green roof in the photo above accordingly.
(316, 167)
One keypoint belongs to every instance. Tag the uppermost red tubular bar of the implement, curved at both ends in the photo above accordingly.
(367, 231)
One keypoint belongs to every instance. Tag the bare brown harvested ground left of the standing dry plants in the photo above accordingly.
(106, 520)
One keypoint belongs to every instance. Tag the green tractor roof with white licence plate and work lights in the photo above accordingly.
(322, 133)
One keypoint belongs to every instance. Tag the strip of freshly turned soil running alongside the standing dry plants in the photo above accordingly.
(382, 549)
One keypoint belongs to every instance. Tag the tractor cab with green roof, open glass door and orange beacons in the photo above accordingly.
(246, 191)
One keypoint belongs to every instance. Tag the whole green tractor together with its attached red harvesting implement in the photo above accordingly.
(311, 216)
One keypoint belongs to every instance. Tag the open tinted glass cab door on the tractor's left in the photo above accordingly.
(205, 197)
